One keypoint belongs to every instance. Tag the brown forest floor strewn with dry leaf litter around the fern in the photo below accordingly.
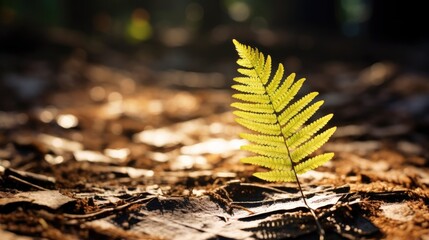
(104, 151)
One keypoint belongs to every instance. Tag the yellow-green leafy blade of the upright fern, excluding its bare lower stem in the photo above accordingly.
(282, 139)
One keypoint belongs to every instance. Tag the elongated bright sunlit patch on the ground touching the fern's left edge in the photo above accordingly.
(213, 146)
